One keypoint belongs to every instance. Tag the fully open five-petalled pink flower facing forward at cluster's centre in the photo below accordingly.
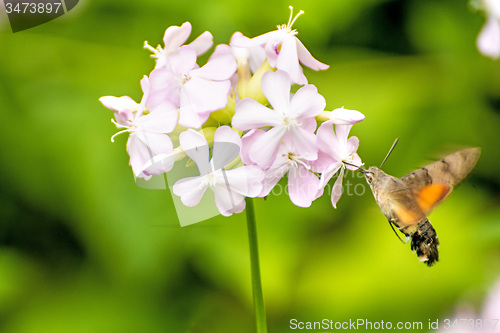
(291, 118)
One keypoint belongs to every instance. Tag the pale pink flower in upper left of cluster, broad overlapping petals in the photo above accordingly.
(197, 91)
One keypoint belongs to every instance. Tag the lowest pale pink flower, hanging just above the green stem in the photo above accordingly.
(230, 187)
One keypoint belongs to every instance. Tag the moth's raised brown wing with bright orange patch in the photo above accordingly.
(432, 184)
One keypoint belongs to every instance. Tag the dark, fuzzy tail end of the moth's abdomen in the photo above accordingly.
(424, 242)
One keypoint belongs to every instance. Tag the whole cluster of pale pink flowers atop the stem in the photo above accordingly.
(240, 104)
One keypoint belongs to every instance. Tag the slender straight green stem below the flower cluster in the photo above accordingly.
(258, 298)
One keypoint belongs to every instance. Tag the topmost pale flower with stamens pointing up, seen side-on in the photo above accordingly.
(284, 50)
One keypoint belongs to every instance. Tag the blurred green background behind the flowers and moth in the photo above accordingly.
(83, 249)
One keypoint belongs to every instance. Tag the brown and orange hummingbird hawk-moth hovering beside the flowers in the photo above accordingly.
(406, 201)
